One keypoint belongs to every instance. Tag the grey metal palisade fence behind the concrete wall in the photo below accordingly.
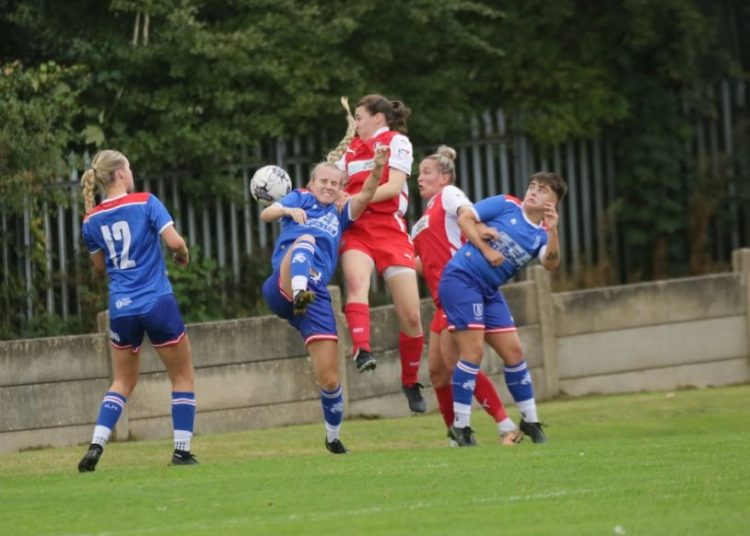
(493, 159)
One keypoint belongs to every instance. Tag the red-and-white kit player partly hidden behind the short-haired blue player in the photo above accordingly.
(437, 237)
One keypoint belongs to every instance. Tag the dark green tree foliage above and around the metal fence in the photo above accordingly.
(180, 85)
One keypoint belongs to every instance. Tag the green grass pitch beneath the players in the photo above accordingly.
(652, 463)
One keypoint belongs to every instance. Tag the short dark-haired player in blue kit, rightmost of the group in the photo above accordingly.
(475, 306)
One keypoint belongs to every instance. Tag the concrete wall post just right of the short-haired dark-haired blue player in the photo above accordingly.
(542, 284)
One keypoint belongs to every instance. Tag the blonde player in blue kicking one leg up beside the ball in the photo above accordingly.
(304, 260)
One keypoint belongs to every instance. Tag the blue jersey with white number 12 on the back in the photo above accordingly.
(127, 229)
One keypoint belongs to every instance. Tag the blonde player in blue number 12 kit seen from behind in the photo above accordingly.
(123, 235)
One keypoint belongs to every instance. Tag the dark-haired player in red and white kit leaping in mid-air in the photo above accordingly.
(380, 239)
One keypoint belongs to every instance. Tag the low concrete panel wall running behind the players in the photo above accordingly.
(255, 372)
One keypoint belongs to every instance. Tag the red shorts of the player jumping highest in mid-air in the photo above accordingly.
(383, 238)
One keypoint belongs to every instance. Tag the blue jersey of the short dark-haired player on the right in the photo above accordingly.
(520, 241)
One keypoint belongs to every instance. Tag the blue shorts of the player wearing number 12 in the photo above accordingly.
(163, 324)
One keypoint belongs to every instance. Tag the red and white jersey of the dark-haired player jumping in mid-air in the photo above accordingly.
(359, 160)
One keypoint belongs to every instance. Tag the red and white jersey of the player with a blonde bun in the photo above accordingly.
(436, 235)
